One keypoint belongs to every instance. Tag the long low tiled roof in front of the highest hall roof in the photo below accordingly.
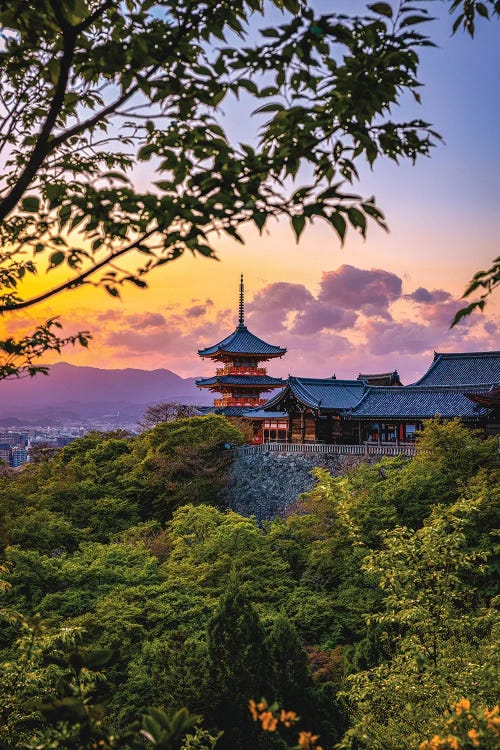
(416, 402)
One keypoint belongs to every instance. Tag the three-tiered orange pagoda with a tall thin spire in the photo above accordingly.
(240, 381)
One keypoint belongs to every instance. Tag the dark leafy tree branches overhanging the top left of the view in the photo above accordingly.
(91, 86)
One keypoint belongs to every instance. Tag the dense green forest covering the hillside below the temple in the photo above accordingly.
(369, 612)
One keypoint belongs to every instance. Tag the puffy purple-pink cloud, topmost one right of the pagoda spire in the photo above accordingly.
(367, 291)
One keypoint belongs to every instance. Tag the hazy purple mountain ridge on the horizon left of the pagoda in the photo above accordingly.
(93, 392)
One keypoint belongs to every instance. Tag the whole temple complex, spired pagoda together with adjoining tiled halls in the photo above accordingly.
(373, 408)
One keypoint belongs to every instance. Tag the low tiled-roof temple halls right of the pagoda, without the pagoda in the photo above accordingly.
(378, 409)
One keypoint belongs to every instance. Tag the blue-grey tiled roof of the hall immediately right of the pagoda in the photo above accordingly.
(320, 393)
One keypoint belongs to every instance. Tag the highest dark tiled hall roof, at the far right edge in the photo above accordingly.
(462, 369)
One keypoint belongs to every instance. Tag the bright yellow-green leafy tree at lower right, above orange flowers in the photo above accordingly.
(441, 638)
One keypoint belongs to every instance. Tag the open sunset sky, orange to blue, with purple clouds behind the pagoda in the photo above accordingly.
(373, 305)
